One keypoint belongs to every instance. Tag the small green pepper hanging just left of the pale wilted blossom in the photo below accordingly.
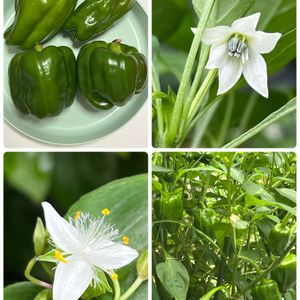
(204, 220)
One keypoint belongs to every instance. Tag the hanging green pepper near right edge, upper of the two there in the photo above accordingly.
(279, 238)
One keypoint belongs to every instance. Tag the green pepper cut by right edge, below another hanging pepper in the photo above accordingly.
(285, 274)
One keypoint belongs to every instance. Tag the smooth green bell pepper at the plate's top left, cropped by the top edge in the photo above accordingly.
(37, 21)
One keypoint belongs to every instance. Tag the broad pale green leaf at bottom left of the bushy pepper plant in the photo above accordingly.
(174, 277)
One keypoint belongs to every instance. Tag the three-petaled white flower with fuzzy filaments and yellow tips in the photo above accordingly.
(86, 245)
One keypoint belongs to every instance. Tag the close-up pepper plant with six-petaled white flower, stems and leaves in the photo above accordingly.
(214, 65)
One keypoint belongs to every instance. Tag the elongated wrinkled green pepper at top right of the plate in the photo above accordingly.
(93, 17)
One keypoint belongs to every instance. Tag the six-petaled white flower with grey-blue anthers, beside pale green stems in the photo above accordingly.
(237, 50)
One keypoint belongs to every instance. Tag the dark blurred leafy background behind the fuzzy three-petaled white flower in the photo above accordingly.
(62, 178)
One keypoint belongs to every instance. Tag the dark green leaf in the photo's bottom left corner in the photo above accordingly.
(21, 291)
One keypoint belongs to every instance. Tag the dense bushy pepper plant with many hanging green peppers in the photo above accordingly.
(224, 225)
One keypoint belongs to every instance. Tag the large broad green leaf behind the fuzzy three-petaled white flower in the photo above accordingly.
(127, 199)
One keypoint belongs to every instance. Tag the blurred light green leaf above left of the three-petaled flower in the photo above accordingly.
(29, 173)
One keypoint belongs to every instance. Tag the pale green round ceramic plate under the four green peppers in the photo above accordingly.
(79, 123)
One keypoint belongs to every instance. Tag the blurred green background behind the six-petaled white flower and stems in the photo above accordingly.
(172, 20)
